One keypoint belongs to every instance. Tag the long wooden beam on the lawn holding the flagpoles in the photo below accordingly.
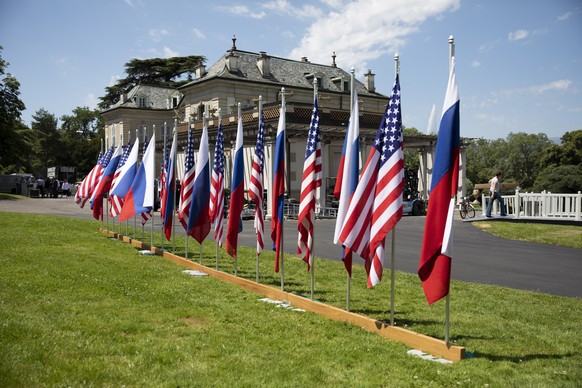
(430, 345)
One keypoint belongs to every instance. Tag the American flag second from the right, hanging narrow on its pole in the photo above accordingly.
(309, 184)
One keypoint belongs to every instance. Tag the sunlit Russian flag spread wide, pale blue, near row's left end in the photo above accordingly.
(140, 197)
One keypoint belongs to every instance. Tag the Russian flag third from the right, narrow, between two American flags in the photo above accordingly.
(279, 188)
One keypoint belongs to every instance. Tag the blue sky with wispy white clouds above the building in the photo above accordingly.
(518, 63)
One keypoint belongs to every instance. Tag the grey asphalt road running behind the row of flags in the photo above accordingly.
(477, 257)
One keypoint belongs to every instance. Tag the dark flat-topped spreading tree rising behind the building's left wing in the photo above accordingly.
(155, 71)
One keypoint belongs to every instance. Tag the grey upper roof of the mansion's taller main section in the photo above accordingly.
(283, 72)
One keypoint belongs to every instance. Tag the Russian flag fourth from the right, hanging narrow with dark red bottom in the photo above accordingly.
(237, 193)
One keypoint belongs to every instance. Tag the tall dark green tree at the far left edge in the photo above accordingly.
(15, 137)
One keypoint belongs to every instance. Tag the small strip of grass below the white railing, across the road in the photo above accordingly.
(554, 234)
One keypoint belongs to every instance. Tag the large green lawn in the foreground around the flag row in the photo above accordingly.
(80, 309)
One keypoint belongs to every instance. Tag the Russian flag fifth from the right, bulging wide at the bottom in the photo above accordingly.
(199, 218)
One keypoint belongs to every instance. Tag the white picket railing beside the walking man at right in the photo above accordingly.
(540, 205)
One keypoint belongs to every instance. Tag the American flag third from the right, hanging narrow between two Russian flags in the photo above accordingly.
(256, 184)
